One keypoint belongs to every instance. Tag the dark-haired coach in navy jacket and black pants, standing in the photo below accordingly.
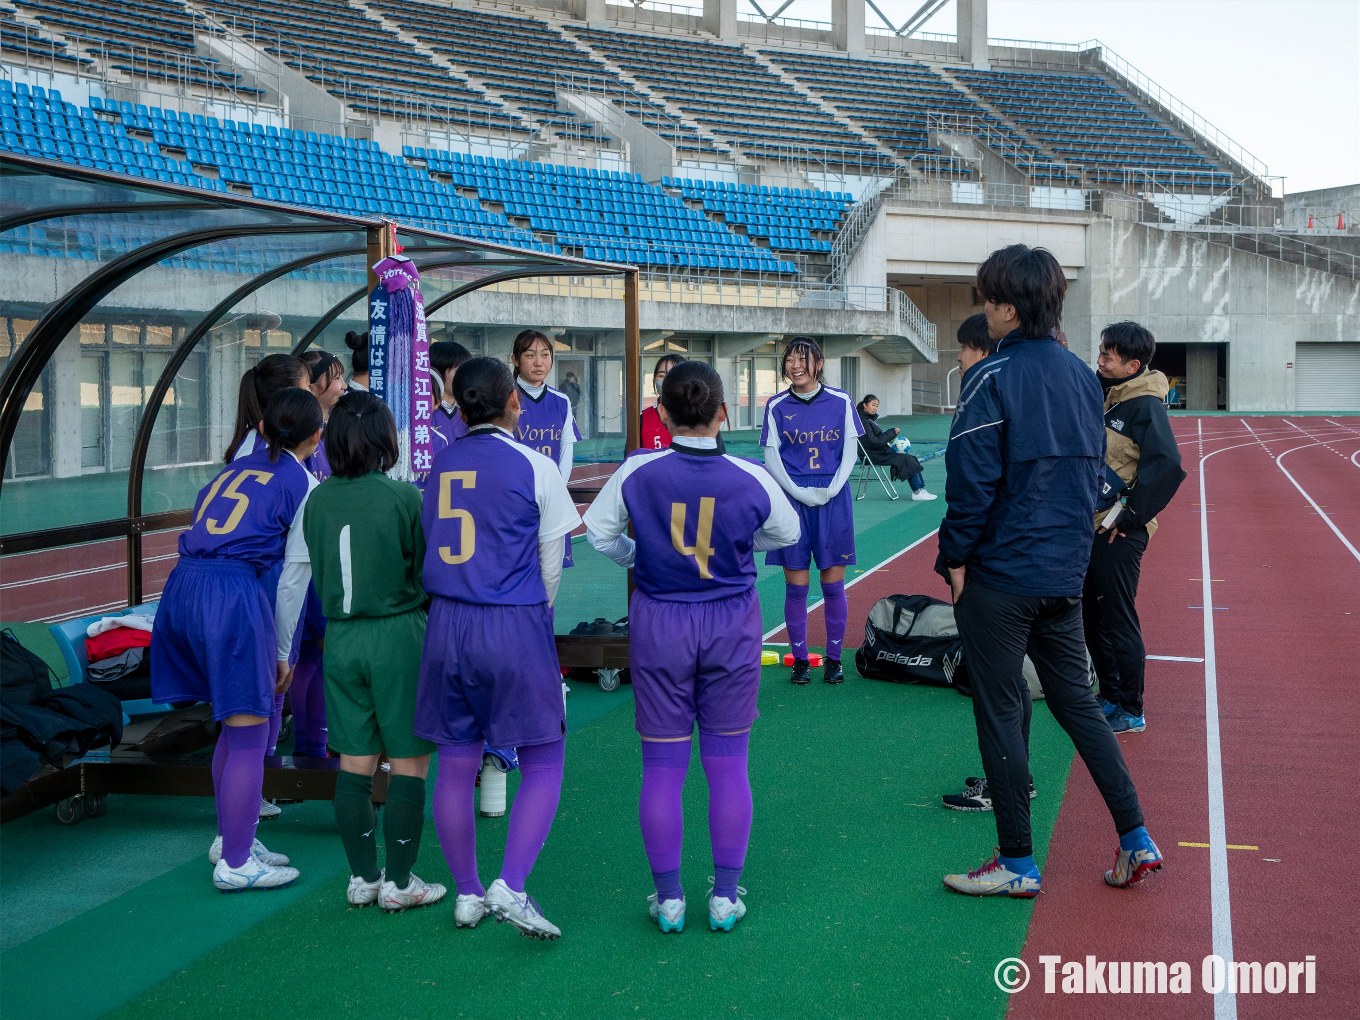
(1025, 463)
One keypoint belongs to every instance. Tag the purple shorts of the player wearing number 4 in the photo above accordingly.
(694, 663)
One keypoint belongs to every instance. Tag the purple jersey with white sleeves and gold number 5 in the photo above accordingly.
(489, 505)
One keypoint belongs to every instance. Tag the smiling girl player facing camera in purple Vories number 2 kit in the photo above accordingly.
(810, 437)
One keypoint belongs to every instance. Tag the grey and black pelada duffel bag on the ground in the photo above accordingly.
(913, 640)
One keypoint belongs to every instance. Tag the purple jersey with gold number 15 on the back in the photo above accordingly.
(252, 512)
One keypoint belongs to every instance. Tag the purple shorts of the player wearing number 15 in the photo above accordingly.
(214, 640)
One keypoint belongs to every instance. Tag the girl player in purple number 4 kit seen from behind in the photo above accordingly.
(694, 622)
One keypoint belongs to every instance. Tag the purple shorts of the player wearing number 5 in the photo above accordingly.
(490, 673)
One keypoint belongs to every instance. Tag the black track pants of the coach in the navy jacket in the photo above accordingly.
(999, 629)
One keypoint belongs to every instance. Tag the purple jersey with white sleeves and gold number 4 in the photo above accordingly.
(698, 516)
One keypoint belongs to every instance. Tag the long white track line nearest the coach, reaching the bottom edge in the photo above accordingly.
(1221, 908)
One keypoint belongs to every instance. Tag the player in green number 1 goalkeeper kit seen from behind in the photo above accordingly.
(367, 543)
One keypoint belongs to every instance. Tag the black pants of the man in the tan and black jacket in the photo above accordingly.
(1110, 617)
